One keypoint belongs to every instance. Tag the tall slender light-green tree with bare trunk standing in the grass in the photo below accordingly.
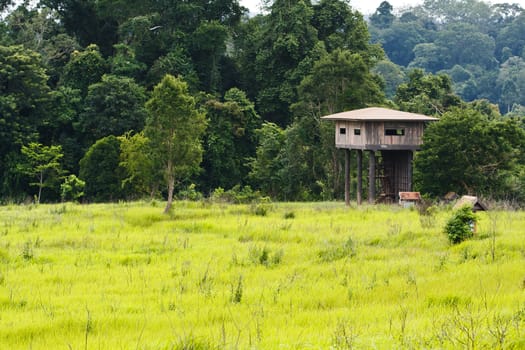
(174, 127)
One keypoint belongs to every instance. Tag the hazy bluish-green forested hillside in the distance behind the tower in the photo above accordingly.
(472, 41)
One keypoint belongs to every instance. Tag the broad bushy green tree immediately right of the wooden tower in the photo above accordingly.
(467, 152)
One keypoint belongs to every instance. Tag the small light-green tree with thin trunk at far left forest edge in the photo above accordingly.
(43, 164)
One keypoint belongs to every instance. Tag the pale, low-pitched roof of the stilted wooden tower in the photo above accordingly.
(378, 114)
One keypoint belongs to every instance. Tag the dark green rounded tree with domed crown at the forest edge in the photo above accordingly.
(100, 169)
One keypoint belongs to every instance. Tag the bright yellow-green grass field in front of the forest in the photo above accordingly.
(272, 276)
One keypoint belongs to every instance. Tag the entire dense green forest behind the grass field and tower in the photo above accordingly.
(105, 100)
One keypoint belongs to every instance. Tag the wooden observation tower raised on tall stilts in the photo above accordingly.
(391, 137)
